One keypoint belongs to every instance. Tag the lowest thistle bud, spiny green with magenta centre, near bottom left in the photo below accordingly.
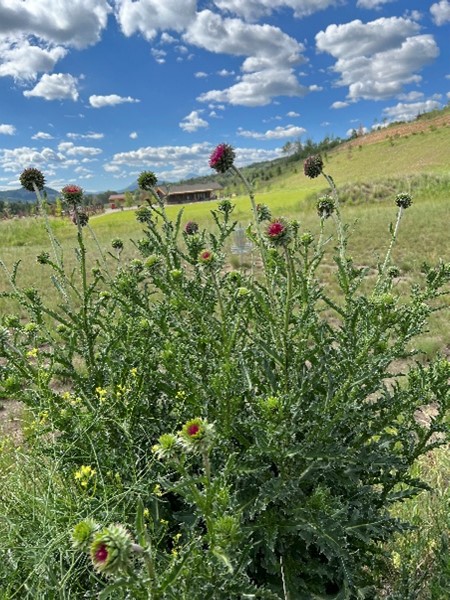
(111, 550)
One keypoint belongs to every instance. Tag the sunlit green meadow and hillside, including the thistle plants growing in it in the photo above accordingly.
(303, 356)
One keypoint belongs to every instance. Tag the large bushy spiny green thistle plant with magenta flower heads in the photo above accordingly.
(248, 432)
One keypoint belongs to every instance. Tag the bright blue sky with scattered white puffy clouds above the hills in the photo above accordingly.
(95, 91)
